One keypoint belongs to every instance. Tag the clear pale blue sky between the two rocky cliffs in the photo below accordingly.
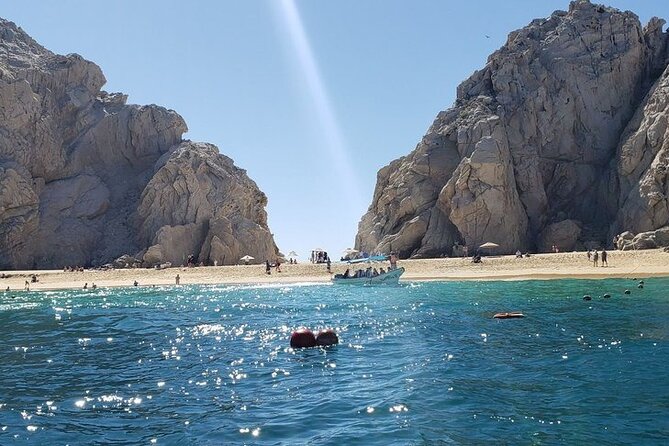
(312, 97)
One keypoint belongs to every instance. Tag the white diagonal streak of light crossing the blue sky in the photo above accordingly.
(337, 150)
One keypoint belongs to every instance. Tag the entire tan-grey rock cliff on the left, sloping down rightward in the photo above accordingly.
(84, 177)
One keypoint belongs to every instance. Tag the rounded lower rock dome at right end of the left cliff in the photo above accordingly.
(198, 202)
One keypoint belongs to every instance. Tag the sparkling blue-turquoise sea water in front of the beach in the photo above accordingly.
(421, 364)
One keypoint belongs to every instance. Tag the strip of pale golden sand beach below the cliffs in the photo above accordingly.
(648, 263)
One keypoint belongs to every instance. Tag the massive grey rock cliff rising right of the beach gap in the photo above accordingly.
(561, 140)
